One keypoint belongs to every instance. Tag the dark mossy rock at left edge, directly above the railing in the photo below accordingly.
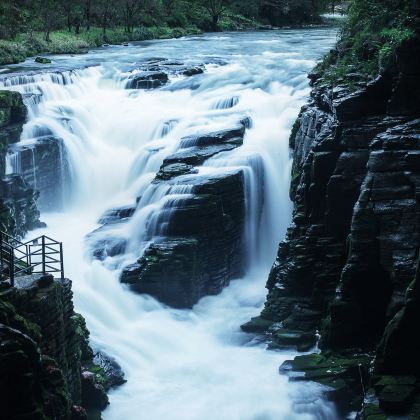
(18, 209)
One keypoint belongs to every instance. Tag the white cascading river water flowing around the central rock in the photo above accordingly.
(180, 364)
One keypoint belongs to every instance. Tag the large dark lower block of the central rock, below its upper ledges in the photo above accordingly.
(202, 248)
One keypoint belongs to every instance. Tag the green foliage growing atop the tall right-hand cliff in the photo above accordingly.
(370, 38)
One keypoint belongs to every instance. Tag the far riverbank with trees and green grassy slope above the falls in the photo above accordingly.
(31, 27)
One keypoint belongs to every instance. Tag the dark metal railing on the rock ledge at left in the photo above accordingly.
(41, 255)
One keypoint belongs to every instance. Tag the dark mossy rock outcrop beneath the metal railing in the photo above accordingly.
(45, 353)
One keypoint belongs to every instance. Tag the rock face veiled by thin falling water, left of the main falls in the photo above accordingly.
(43, 165)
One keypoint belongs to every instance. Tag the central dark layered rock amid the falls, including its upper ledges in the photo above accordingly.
(200, 248)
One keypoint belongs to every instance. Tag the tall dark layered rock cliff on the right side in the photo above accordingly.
(347, 267)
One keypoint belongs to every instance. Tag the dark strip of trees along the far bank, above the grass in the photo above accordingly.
(19, 16)
